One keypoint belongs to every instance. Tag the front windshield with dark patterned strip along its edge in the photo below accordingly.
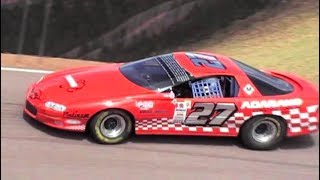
(156, 73)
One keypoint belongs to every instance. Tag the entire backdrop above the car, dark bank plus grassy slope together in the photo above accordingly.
(272, 34)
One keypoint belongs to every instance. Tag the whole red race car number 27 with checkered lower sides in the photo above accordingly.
(181, 93)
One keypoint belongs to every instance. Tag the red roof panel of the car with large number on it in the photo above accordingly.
(201, 69)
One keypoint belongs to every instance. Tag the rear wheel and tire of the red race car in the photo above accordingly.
(263, 132)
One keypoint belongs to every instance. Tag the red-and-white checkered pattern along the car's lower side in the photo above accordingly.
(299, 121)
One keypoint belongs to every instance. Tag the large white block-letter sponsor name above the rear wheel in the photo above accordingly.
(271, 103)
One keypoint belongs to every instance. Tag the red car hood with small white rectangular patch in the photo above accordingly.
(81, 84)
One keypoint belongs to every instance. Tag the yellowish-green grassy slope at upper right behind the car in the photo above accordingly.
(285, 37)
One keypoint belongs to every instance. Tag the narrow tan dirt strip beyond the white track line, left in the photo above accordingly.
(46, 63)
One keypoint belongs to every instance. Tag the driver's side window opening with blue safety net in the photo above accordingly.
(209, 87)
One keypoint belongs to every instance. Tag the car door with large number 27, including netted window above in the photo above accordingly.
(206, 110)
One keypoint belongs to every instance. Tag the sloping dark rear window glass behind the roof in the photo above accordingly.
(266, 84)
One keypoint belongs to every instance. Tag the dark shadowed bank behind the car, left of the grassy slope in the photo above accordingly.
(112, 29)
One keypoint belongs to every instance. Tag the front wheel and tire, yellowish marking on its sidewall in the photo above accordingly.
(111, 127)
